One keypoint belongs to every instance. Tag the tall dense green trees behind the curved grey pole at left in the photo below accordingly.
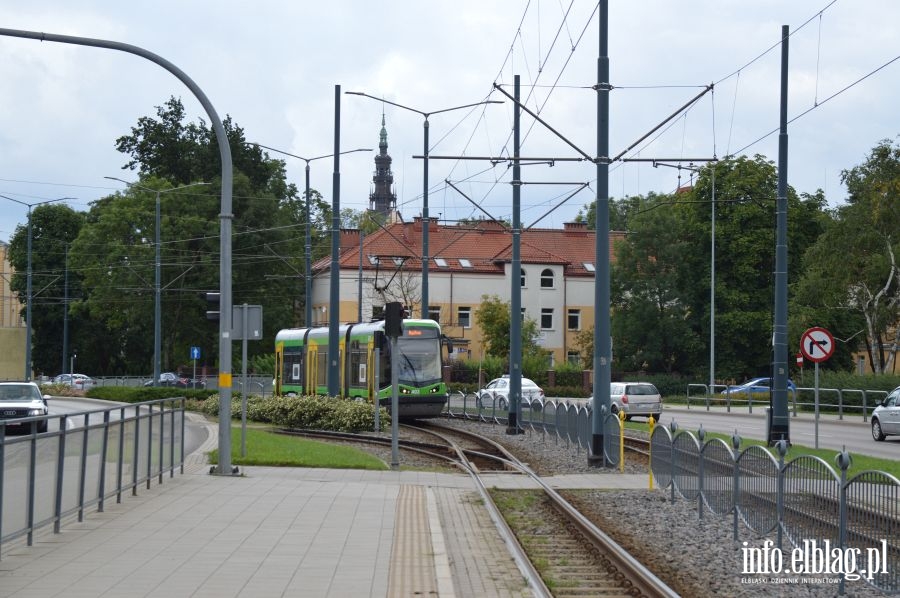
(115, 250)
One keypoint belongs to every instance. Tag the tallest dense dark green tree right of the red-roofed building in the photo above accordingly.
(745, 192)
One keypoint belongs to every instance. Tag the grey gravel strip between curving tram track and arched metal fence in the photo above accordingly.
(695, 557)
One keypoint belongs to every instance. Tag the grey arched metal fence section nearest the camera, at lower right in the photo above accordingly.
(854, 522)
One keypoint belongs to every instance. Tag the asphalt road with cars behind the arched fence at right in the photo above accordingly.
(850, 433)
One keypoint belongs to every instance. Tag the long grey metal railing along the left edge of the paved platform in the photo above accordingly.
(83, 460)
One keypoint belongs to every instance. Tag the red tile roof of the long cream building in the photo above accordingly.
(486, 245)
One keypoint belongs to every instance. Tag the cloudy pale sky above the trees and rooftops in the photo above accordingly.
(273, 67)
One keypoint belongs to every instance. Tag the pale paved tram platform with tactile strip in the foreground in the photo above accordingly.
(283, 532)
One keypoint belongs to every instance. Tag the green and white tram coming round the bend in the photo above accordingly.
(301, 365)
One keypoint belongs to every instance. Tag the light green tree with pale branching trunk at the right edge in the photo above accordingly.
(852, 269)
